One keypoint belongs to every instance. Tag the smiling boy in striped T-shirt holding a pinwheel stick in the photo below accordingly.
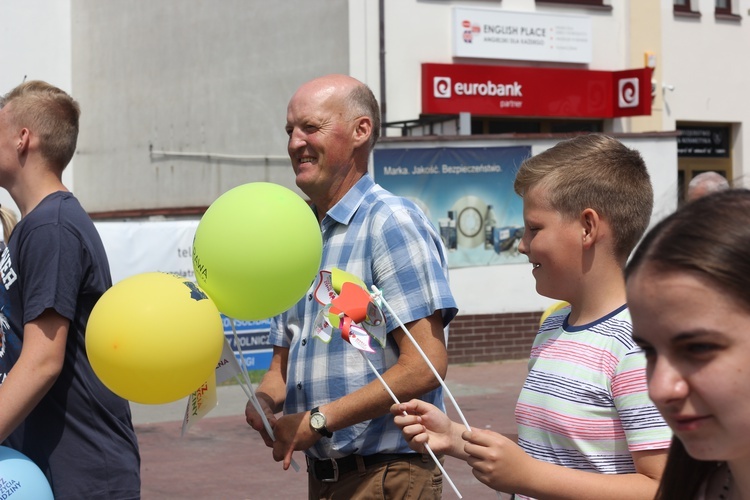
(584, 407)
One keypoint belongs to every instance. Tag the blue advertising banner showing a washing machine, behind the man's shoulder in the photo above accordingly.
(467, 193)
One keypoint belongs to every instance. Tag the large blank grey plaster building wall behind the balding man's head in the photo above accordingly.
(185, 99)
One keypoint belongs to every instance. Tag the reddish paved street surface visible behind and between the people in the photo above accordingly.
(221, 457)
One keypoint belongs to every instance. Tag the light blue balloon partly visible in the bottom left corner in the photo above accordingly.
(20, 478)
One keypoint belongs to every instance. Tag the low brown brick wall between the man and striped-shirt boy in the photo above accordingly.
(492, 337)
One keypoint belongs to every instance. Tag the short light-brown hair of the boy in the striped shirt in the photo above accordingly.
(598, 172)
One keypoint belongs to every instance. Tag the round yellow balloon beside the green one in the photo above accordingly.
(154, 338)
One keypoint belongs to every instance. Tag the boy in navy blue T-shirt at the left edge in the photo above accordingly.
(54, 408)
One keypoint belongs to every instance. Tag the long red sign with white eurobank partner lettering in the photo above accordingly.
(534, 92)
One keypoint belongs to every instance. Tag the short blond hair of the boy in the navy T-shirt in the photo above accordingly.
(49, 113)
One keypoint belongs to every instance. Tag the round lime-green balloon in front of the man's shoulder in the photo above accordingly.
(257, 250)
